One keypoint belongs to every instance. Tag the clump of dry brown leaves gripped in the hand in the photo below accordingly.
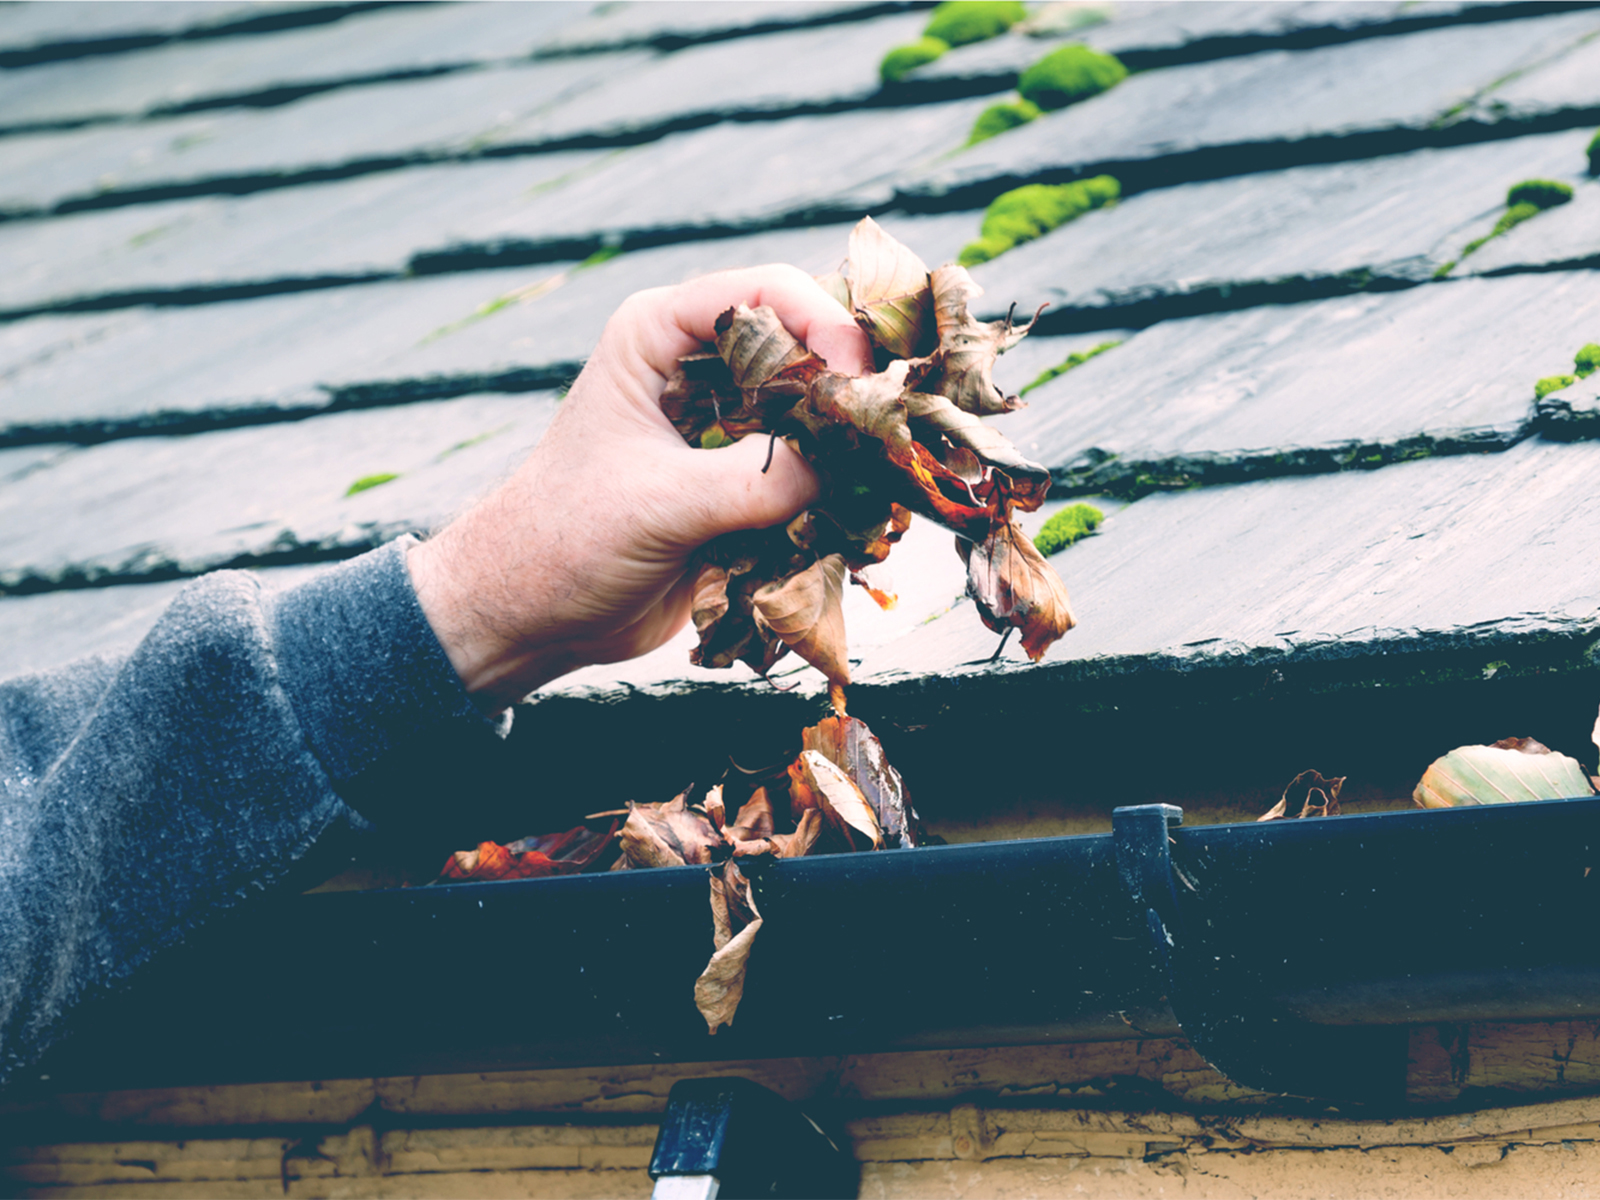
(903, 441)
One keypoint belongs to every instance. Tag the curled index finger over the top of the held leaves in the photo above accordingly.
(809, 313)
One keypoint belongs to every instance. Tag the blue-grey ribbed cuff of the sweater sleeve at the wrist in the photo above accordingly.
(362, 666)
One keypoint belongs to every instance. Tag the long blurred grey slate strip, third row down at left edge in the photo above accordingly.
(351, 132)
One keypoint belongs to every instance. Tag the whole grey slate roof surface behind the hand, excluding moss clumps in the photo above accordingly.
(255, 254)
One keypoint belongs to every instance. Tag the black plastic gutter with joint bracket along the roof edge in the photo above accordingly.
(1290, 954)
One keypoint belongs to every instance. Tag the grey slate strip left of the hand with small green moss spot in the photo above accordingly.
(156, 508)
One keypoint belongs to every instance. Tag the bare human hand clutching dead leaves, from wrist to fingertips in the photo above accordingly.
(582, 556)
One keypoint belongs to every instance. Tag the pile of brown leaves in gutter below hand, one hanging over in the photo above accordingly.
(838, 796)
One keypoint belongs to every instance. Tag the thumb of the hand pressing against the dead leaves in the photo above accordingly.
(737, 494)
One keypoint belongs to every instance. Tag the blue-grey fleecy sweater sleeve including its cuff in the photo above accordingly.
(140, 798)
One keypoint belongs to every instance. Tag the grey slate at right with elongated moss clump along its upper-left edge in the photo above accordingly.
(1284, 234)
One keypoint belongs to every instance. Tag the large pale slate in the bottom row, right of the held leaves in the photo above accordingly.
(1434, 553)
